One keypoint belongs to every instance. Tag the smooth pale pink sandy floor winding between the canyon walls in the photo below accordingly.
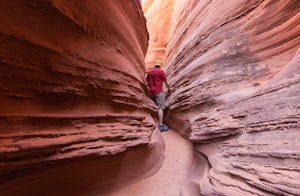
(178, 158)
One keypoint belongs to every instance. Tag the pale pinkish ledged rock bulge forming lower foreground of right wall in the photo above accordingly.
(263, 159)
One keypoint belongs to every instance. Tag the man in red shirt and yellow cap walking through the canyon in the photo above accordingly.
(155, 78)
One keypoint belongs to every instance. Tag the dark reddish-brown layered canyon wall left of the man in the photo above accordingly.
(74, 115)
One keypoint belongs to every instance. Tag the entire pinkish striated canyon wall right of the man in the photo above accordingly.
(234, 67)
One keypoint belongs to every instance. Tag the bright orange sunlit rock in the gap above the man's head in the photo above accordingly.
(158, 14)
